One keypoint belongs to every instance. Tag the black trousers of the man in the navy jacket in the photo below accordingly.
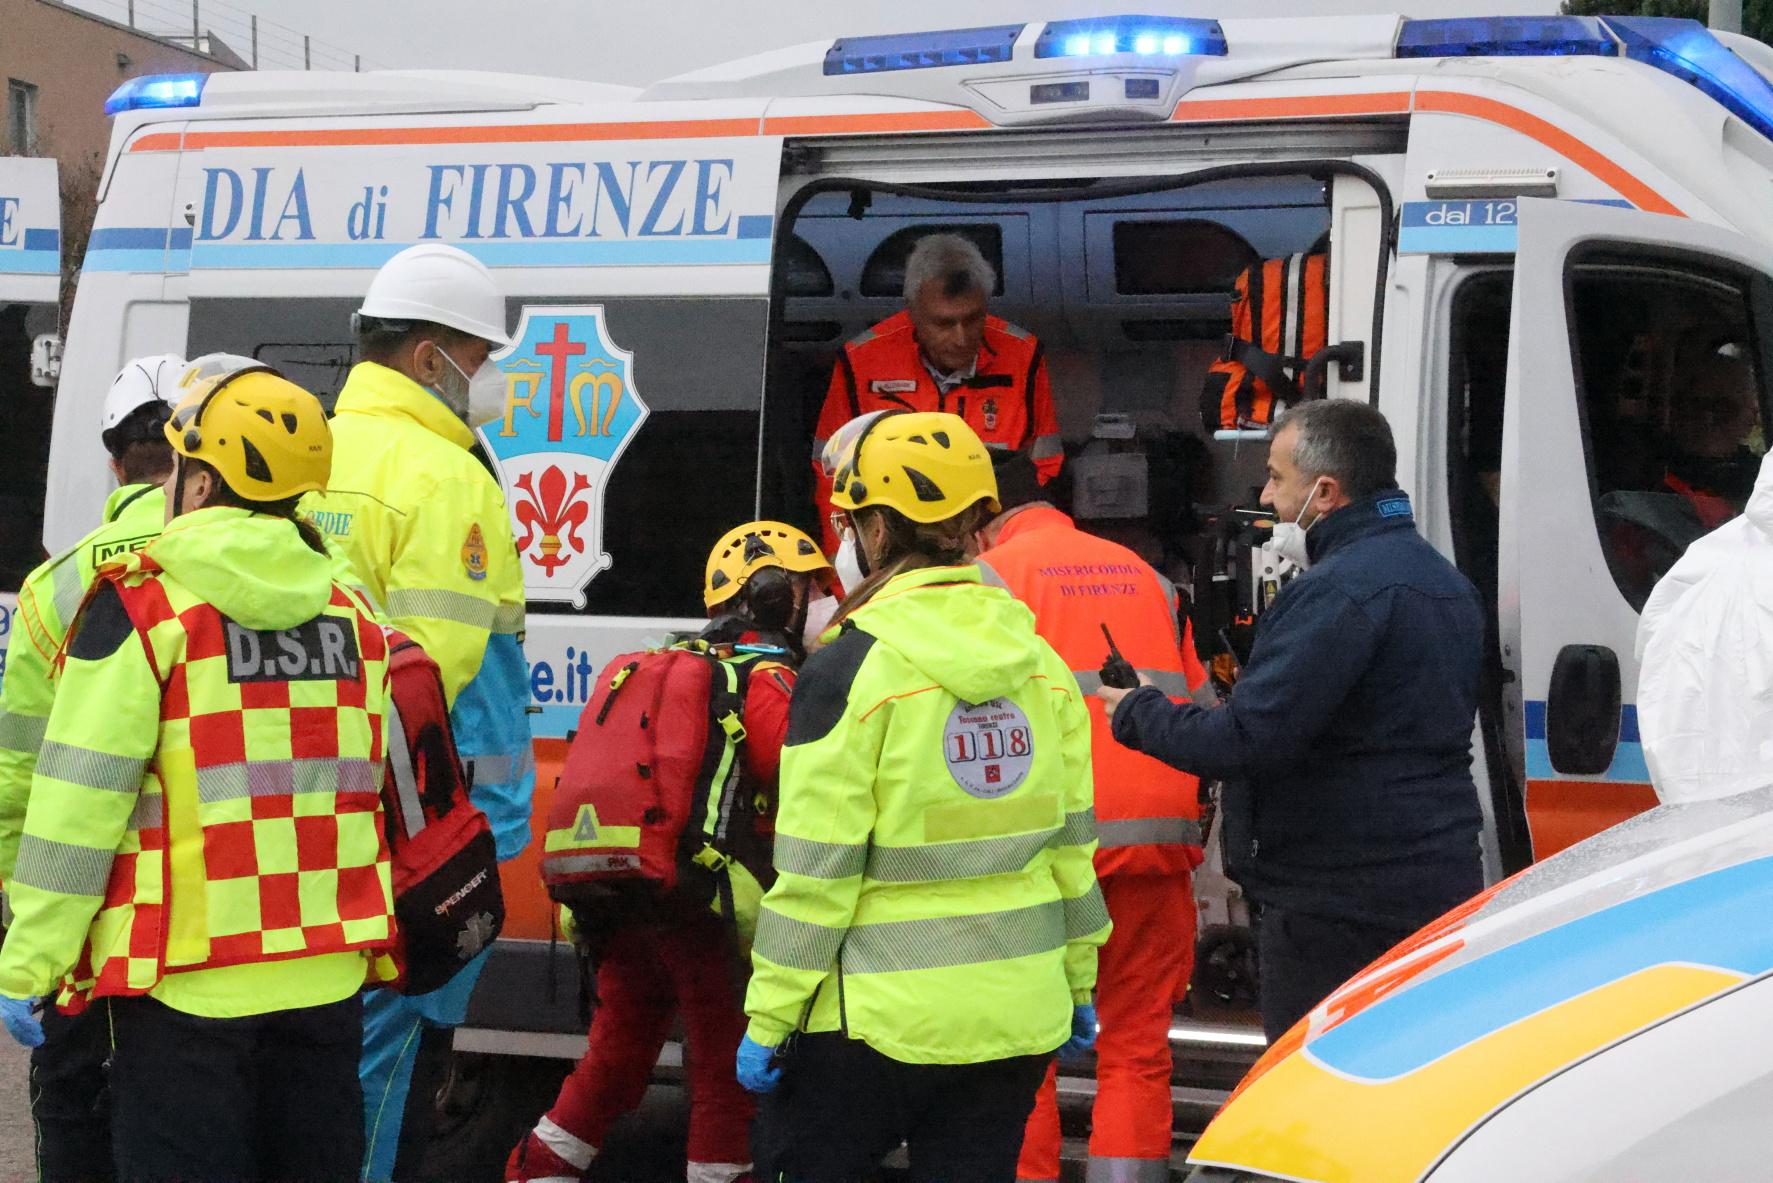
(1306, 957)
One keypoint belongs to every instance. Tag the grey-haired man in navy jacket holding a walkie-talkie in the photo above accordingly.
(1347, 748)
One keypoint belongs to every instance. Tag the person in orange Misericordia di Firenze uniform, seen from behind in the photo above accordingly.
(1146, 817)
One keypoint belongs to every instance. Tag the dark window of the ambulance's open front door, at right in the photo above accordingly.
(1673, 384)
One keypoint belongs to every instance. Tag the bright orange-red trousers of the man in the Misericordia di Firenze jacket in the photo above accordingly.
(1143, 973)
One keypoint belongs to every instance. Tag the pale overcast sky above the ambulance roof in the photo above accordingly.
(639, 42)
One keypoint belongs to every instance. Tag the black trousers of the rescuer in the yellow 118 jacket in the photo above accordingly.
(843, 1108)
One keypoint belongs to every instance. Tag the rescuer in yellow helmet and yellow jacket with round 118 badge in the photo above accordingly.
(932, 936)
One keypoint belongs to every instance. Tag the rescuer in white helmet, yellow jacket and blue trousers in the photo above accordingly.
(425, 526)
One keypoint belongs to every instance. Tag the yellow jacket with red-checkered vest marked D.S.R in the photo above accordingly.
(205, 822)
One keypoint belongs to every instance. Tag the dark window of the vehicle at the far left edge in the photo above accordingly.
(26, 427)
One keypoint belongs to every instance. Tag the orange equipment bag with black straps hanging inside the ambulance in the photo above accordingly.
(1279, 324)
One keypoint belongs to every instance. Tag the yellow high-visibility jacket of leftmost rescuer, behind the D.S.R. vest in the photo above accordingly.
(134, 517)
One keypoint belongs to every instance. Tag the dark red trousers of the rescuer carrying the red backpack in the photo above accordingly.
(646, 976)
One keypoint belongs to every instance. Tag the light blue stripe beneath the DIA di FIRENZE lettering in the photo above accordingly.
(370, 256)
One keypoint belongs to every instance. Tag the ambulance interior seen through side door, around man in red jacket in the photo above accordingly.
(1129, 288)
